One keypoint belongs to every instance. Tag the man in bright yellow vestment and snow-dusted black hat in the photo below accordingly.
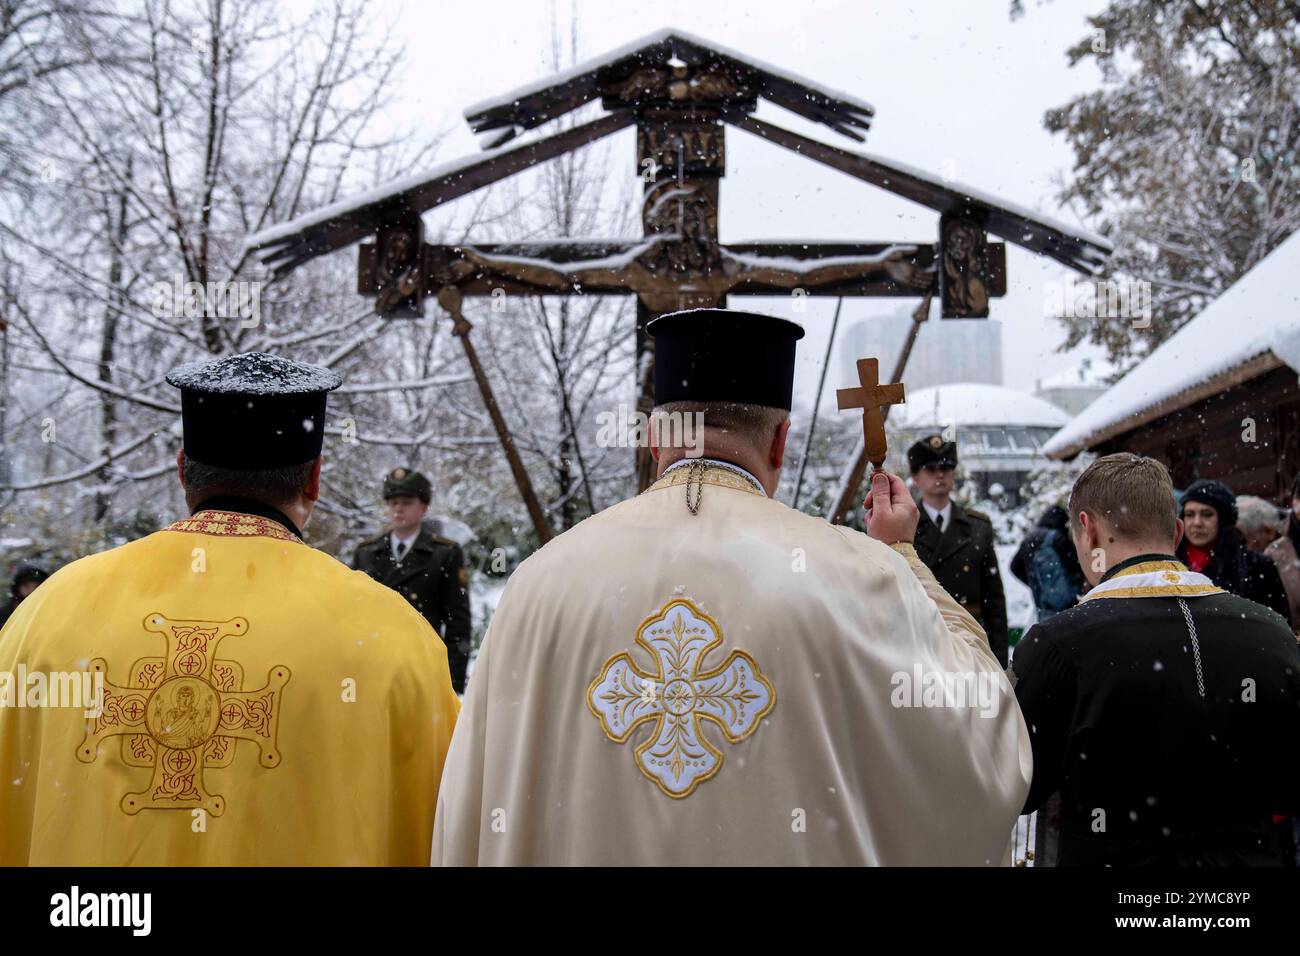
(254, 700)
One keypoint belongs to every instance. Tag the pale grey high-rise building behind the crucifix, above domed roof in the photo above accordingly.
(947, 351)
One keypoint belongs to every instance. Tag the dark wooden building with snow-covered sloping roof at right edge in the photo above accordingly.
(1219, 399)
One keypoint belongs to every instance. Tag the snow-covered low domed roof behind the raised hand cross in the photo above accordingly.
(973, 404)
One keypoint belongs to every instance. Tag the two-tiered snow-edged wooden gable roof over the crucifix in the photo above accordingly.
(674, 71)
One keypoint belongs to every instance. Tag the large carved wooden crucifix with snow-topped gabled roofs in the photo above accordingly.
(681, 94)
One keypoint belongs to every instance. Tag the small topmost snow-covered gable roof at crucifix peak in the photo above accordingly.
(505, 116)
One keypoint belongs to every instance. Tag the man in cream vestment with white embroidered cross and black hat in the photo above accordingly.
(704, 676)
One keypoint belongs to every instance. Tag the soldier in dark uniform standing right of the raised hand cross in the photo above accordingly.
(956, 543)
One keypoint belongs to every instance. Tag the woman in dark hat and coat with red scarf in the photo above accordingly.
(1214, 547)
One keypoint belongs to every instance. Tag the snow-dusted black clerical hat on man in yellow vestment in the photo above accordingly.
(253, 412)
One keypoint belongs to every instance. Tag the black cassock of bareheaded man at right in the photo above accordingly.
(1167, 750)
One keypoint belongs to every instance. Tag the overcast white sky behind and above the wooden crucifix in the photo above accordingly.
(952, 81)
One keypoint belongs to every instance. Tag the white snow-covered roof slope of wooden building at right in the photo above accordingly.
(1258, 319)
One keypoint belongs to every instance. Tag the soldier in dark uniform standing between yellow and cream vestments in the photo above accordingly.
(427, 570)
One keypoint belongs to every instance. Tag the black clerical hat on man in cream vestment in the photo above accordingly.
(721, 356)
